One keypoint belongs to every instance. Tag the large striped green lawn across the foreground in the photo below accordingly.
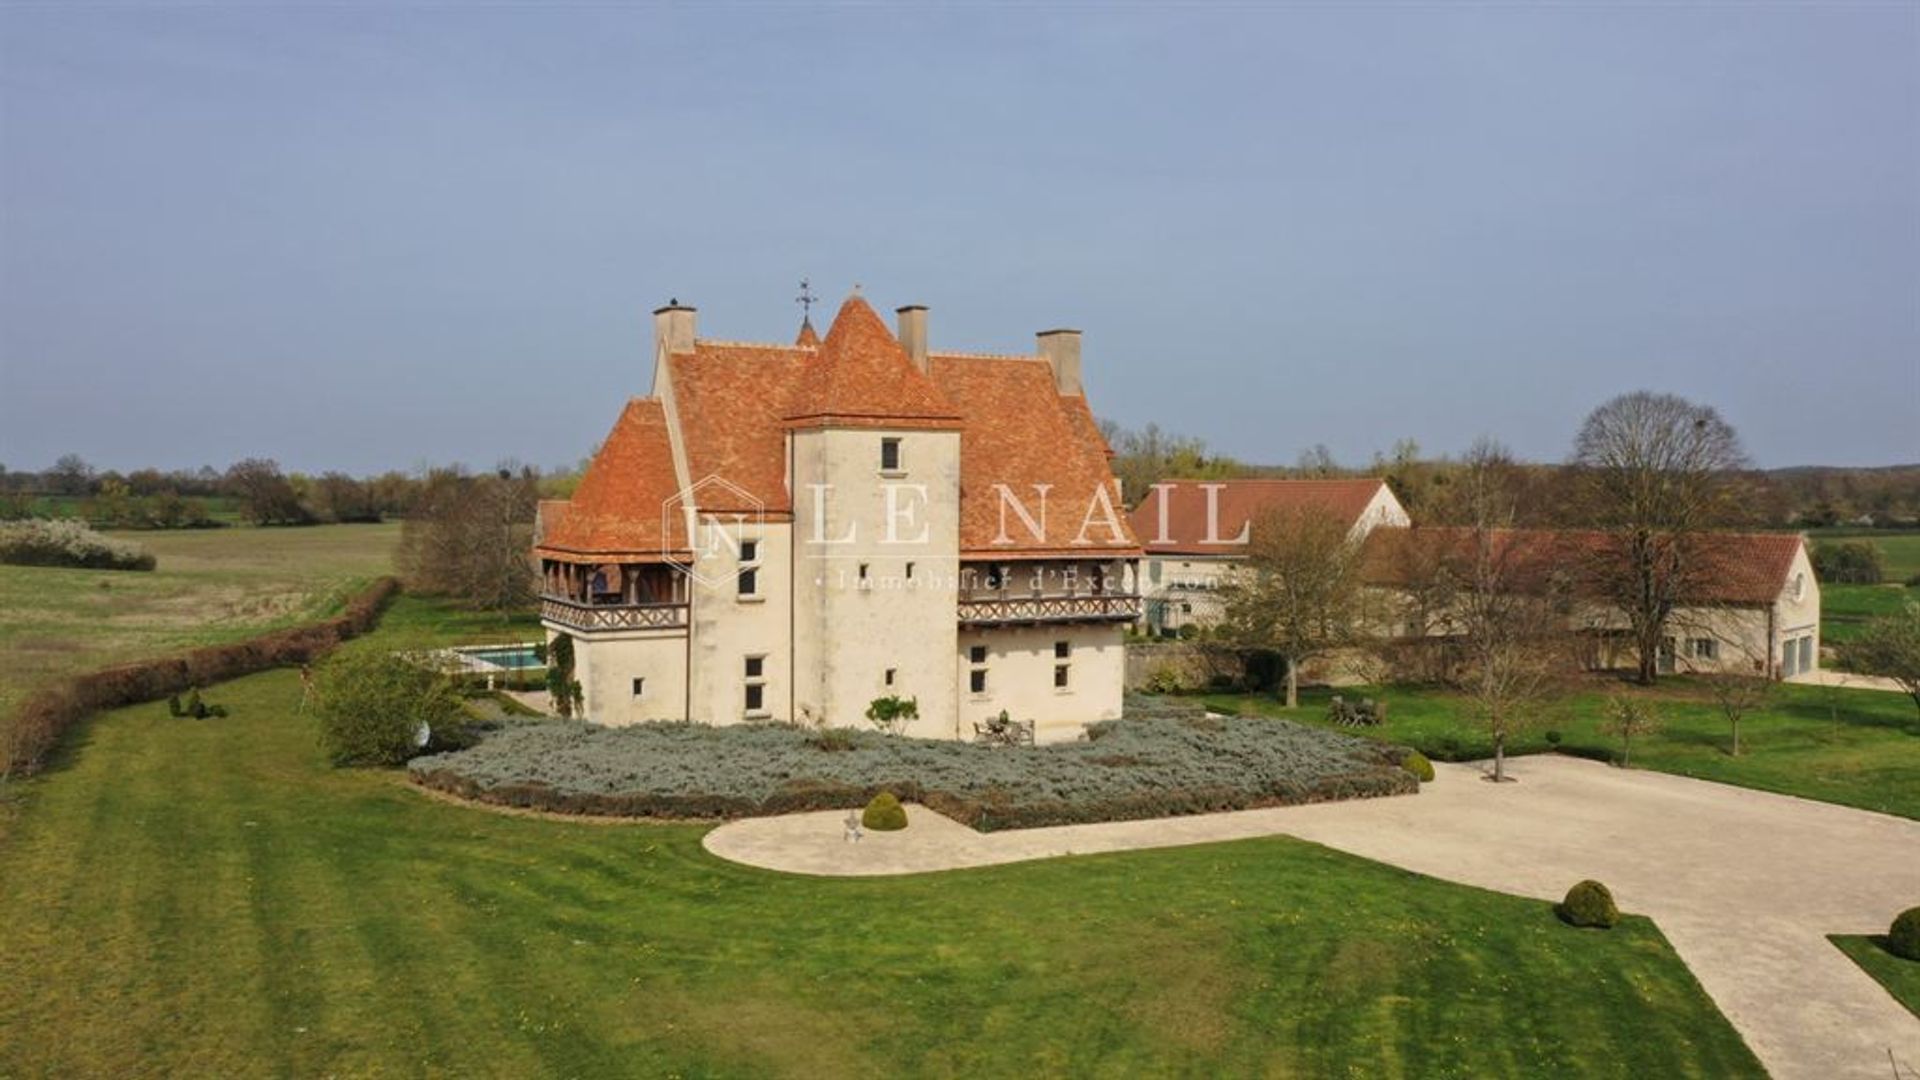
(210, 898)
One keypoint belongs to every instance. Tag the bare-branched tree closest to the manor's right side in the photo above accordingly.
(1297, 597)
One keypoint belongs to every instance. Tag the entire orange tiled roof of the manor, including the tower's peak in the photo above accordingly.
(734, 405)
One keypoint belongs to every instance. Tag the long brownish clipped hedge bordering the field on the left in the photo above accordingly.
(47, 714)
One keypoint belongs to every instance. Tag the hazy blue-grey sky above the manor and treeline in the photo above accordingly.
(375, 237)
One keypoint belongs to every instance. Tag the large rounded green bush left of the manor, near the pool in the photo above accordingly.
(373, 710)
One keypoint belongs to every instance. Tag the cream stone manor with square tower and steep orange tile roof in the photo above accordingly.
(790, 533)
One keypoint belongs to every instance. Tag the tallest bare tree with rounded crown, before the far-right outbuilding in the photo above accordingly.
(1656, 472)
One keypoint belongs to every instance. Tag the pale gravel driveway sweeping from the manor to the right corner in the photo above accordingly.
(1746, 885)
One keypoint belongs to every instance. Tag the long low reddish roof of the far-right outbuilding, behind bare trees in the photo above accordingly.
(1737, 568)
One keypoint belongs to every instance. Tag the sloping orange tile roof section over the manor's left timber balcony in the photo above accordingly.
(617, 508)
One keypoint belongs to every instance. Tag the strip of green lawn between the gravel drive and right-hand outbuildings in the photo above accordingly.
(1860, 749)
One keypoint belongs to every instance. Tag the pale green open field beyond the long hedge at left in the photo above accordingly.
(212, 587)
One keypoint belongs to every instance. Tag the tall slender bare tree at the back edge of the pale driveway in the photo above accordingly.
(1508, 608)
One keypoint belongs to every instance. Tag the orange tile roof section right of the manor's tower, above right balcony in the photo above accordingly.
(1020, 431)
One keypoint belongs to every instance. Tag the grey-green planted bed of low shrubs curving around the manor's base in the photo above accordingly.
(1128, 770)
